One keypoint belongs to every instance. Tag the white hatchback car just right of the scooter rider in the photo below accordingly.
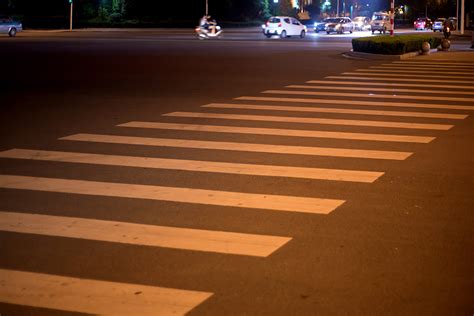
(283, 26)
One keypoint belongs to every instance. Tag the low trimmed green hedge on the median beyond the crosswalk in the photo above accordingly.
(396, 45)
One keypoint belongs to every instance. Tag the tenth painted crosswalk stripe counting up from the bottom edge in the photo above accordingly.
(370, 95)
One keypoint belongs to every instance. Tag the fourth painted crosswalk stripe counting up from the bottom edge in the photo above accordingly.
(195, 165)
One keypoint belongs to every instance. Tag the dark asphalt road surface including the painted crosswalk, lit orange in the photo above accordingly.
(149, 173)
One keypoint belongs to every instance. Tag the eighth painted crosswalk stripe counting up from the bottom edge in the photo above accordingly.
(333, 110)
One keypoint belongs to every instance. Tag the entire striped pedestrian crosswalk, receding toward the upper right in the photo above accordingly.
(374, 103)
